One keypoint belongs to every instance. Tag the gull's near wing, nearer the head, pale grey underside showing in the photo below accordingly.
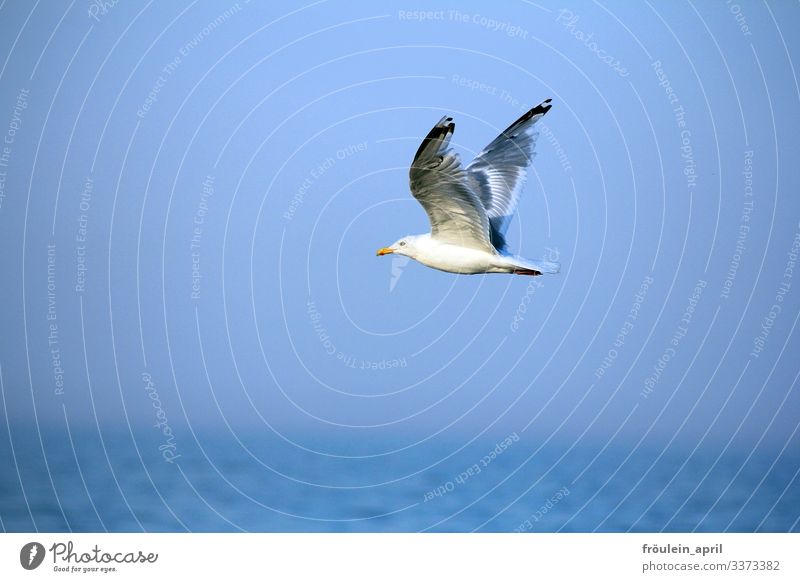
(440, 184)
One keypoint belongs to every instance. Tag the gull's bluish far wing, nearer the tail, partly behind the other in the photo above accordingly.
(498, 173)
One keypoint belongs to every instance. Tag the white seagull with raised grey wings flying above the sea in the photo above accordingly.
(470, 208)
